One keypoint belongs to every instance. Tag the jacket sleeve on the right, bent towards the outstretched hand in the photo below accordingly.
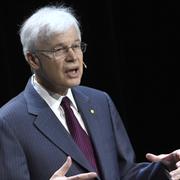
(129, 169)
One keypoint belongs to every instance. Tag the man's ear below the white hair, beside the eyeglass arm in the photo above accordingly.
(32, 60)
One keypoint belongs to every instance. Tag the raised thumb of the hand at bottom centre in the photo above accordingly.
(64, 168)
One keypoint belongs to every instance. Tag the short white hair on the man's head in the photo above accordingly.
(45, 22)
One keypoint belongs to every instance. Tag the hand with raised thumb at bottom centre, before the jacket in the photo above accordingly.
(61, 172)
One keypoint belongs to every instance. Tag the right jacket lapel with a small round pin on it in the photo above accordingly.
(90, 115)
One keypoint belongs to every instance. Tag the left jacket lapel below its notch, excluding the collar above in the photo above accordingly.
(50, 126)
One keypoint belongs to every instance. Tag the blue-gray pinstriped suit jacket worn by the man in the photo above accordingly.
(34, 144)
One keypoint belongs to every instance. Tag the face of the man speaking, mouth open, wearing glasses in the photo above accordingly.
(62, 69)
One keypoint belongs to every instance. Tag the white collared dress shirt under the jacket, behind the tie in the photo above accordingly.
(54, 100)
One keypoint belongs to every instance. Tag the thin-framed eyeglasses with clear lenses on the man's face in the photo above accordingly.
(60, 52)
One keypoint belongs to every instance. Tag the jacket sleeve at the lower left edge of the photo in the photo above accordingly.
(13, 164)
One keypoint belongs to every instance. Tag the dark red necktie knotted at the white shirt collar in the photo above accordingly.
(79, 135)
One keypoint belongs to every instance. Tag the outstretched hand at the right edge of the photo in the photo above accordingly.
(171, 161)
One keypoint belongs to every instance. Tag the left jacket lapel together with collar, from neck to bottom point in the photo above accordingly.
(48, 124)
